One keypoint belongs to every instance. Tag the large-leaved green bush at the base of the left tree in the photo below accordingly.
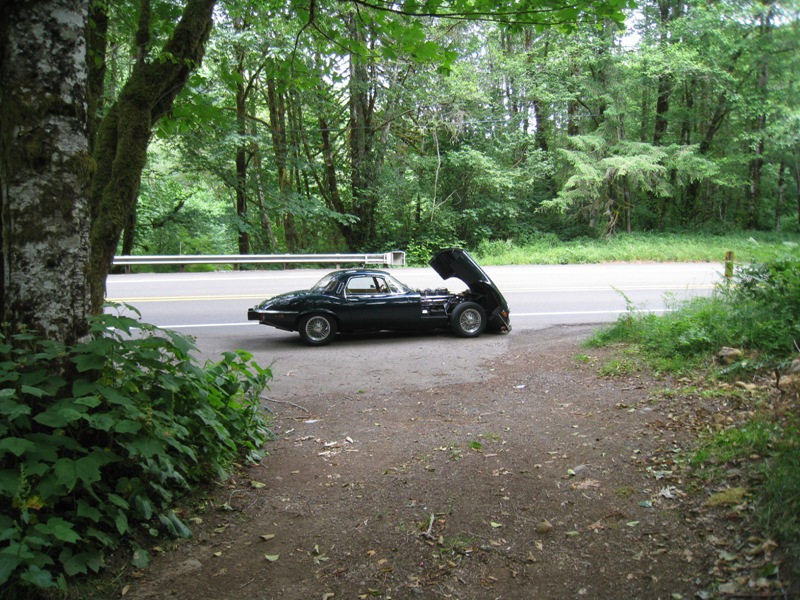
(99, 440)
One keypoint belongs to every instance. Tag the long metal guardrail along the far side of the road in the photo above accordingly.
(396, 258)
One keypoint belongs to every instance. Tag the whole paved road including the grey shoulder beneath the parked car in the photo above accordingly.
(212, 307)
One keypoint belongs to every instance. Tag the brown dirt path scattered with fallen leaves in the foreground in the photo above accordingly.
(536, 479)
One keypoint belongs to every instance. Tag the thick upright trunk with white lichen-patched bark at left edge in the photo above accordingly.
(45, 167)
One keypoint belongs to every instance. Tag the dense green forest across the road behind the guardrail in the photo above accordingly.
(357, 129)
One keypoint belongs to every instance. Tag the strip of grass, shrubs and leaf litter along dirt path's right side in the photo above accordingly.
(741, 346)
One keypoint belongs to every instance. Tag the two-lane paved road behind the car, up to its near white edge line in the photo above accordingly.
(538, 295)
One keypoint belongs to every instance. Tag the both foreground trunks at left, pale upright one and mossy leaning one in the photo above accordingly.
(67, 192)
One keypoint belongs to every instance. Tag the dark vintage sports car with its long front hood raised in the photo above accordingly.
(373, 300)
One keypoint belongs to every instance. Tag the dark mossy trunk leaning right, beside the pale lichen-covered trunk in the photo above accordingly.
(124, 133)
